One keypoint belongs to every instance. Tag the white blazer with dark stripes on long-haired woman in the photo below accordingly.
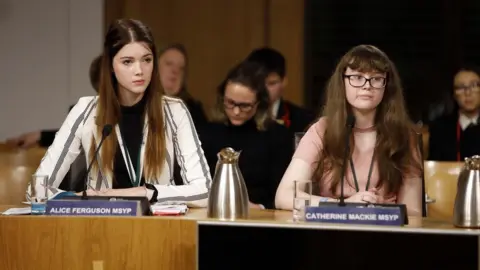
(76, 133)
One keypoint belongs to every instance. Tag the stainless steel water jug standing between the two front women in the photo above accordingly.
(228, 198)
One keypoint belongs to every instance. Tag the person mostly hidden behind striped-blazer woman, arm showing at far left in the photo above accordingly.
(44, 138)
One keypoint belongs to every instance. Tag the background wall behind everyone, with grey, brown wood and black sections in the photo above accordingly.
(47, 46)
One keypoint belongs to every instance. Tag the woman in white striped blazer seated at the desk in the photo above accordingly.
(135, 159)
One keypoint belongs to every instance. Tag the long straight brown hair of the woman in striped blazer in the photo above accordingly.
(121, 33)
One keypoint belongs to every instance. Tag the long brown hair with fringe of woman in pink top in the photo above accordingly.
(396, 151)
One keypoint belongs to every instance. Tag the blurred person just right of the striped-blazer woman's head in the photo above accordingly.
(173, 66)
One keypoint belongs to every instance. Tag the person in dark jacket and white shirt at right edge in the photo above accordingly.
(456, 135)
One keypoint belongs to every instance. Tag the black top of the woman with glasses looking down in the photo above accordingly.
(264, 158)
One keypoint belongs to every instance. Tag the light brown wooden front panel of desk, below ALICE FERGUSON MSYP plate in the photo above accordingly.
(43, 242)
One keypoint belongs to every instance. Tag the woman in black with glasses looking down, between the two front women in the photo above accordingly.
(242, 120)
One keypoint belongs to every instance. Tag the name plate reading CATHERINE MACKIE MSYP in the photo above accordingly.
(356, 214)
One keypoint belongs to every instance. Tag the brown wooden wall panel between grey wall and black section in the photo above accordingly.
(219, 33)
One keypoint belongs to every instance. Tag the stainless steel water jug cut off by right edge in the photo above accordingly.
(466, 211)
